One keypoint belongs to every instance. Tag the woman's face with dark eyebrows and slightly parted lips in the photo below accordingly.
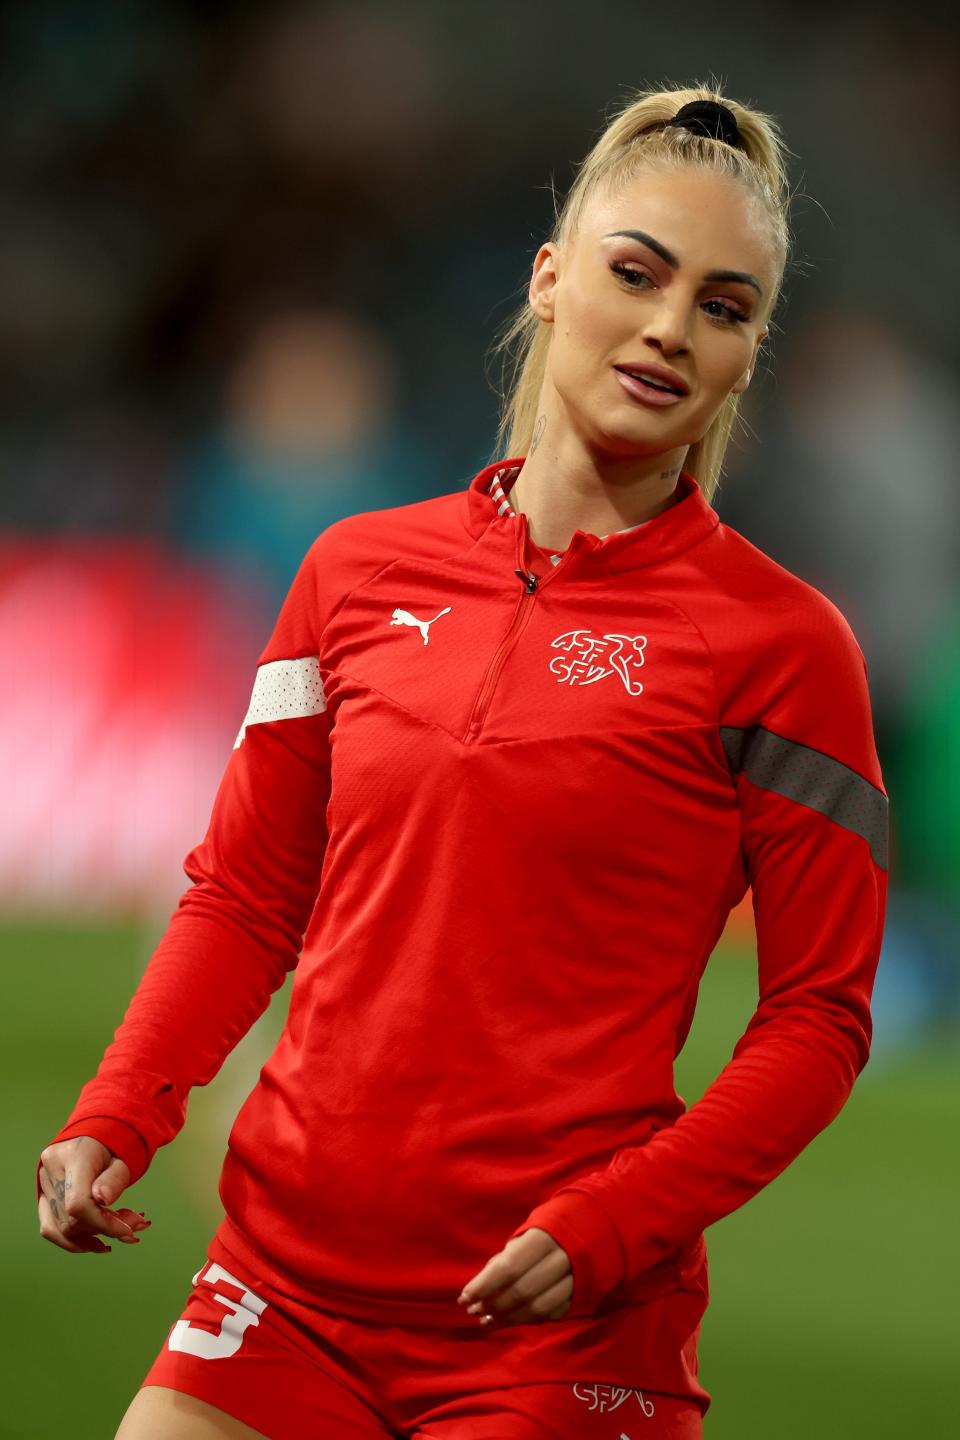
(621, 300)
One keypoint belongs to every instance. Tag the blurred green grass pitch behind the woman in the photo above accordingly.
(833, 1305)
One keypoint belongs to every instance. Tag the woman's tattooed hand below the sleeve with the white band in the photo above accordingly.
(80, 1180)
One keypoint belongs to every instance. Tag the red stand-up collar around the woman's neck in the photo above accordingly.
(679, 528)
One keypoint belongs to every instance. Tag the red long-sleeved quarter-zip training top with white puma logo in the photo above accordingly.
(510, 806)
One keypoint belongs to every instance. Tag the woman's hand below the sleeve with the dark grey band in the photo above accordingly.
(530, 1279)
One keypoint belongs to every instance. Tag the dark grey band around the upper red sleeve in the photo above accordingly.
(805, 775)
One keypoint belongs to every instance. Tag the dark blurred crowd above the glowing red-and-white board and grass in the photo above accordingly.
(254, 257)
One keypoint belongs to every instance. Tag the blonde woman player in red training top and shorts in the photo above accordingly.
(512, 757)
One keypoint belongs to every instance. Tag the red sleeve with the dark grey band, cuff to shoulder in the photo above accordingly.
(814, 834)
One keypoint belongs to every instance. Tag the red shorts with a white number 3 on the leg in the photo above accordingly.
(296, 1372)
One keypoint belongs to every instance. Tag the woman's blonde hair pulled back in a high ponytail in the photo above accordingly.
(635, 142)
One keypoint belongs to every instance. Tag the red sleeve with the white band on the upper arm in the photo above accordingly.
(240, 930)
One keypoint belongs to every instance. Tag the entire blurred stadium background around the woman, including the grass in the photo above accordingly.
(253, 260)
